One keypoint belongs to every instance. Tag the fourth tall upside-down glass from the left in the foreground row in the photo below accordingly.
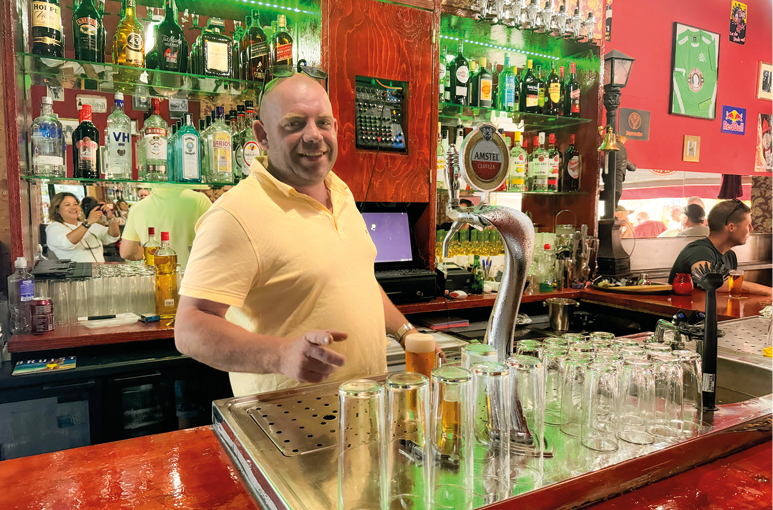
(491, 439)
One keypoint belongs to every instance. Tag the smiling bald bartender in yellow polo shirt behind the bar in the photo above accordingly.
(280, 287)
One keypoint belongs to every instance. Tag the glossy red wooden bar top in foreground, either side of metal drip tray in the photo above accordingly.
(190, 469)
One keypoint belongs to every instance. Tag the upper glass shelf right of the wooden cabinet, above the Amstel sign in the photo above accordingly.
(449, 113)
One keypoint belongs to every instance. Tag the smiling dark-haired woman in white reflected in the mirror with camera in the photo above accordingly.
(79, 241)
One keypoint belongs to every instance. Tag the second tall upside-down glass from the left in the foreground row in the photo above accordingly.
(407, 415)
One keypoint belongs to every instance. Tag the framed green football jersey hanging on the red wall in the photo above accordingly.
(694, 72)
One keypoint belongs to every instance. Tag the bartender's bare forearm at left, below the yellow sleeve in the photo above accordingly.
(216, 342)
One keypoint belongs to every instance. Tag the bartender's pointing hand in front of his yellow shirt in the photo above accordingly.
(307, 360)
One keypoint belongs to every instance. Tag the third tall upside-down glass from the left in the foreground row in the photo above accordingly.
(451, 438)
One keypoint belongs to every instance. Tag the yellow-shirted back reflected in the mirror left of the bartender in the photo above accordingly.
(170, 210)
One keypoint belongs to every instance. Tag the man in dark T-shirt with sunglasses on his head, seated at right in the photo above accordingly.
(729, 225)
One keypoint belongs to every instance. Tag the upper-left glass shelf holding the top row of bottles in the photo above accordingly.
(110, 78)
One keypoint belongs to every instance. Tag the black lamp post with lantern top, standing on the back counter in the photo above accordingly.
(612, 258)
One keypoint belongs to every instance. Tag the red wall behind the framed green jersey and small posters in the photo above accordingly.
(644, 30)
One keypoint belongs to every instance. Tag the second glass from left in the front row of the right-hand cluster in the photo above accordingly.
(636, 403)
